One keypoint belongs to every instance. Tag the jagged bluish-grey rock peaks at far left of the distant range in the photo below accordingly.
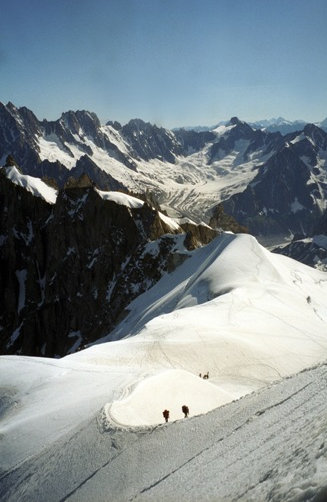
(20, 131)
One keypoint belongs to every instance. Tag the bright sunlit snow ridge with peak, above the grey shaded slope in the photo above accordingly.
(247, 316)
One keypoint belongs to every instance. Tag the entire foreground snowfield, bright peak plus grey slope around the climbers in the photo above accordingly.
(93, 419)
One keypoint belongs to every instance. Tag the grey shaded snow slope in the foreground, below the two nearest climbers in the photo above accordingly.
(268, 446)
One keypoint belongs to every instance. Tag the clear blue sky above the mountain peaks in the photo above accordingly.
(172, 62)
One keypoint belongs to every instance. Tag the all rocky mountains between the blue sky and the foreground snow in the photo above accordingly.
(72, 244)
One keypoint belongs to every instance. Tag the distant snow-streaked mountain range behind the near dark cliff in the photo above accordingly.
(271, 183)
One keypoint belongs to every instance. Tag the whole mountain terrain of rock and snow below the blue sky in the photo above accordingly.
(118, 250)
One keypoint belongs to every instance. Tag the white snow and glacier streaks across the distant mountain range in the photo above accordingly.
(189, 187)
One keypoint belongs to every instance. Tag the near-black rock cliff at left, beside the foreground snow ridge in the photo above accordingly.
(69, 270)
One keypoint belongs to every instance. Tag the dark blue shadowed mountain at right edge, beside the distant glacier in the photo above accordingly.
(288, 192)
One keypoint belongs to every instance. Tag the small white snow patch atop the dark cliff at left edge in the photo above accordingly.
(34, 185)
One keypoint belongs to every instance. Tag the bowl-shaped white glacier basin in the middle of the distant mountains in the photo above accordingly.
(191, 185)
